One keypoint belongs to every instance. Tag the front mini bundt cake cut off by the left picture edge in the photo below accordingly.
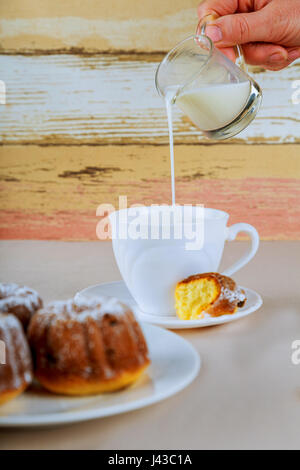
(15, 358)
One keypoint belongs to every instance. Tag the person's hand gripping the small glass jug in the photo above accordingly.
(269, 30)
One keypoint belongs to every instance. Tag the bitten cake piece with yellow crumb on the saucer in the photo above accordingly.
(211, 293)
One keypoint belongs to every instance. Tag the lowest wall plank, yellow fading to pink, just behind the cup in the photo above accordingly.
(259, 184)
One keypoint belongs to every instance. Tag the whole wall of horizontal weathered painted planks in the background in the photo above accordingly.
(83, 124)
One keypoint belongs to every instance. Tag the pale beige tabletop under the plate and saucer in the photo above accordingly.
(247, 394)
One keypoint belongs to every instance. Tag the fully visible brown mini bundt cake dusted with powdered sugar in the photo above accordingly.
(84, 347)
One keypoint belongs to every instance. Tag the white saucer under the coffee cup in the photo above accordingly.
(118, 289)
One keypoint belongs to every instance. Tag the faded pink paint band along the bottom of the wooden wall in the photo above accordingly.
(264, 203)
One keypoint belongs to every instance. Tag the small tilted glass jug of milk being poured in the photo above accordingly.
(218, 96)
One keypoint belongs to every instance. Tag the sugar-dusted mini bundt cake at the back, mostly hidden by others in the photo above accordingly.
(20, 301)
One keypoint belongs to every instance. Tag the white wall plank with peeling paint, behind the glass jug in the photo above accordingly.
(70, 99)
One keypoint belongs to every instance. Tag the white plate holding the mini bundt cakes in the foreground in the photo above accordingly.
(174, 365)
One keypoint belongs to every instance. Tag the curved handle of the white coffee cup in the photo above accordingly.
(231, 235)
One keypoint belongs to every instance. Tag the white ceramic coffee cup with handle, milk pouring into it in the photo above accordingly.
(152, 266)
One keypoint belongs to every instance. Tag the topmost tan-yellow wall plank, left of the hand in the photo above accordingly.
(93, 25)
